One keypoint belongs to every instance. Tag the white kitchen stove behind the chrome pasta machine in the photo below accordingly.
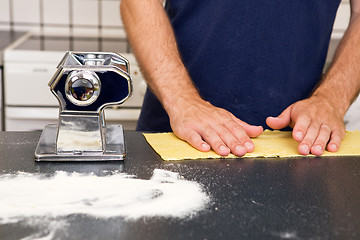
(30, 63)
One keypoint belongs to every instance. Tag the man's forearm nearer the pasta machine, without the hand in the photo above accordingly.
(153, 42)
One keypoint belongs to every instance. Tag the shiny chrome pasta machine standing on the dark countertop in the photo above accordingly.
(84, 84)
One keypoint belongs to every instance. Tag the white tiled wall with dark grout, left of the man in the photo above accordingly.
(76, 17)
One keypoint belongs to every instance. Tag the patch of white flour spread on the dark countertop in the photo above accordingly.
(27, 195)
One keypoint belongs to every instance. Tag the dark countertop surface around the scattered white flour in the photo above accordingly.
(300, 198)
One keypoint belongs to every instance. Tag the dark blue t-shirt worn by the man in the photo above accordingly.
(253, 58)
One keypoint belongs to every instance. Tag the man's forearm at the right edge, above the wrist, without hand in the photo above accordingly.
(341, 84)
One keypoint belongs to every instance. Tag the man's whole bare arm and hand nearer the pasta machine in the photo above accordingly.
(192, 119)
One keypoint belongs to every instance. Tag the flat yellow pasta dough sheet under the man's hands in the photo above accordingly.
(268, 144)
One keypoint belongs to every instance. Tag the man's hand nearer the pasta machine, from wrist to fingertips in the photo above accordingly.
(205, 126)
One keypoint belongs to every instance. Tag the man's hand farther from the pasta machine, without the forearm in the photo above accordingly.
(316, 123)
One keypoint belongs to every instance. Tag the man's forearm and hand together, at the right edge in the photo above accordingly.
(318, 121)
